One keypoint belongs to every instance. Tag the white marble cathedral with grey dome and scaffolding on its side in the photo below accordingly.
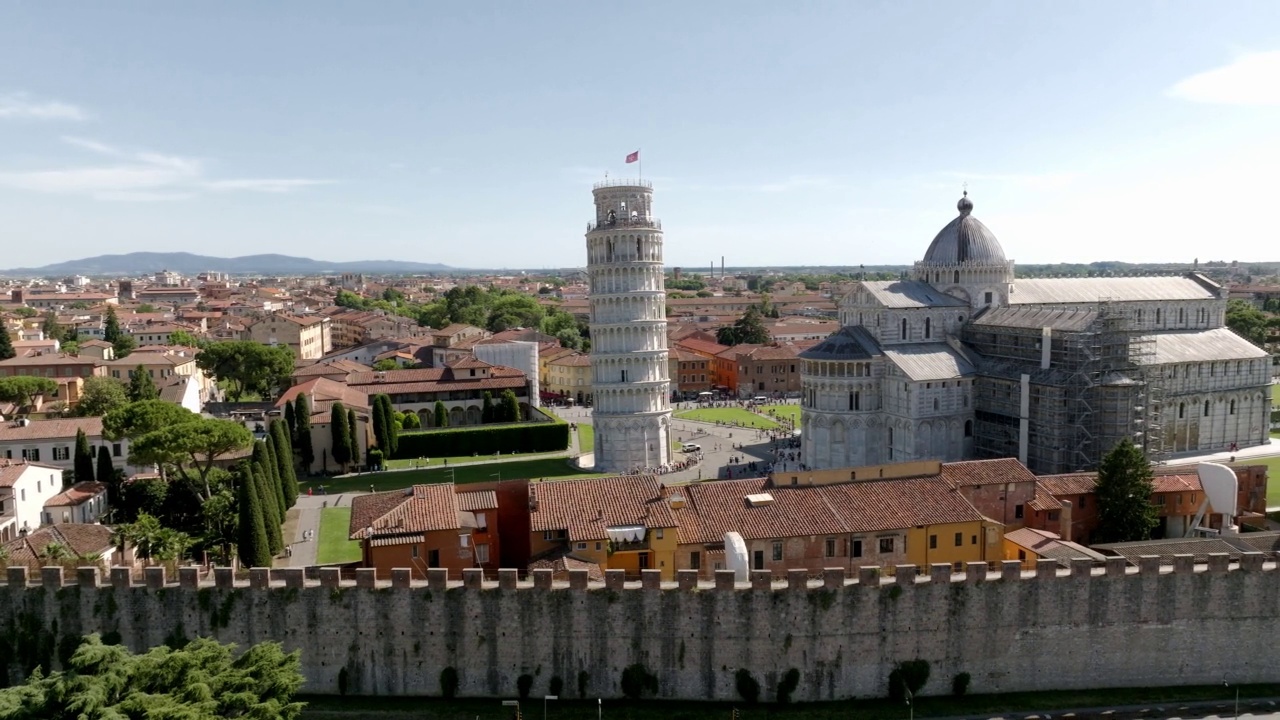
(963, 362)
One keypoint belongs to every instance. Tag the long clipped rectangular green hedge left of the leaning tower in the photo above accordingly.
(531, 438)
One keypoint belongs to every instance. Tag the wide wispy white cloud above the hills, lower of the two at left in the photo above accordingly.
(140, 177)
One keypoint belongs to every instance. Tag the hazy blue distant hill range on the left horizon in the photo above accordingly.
(190, 265)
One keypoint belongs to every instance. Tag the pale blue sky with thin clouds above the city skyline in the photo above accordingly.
(775, 134)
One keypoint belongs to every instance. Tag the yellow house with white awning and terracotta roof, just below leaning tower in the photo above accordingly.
(619, 523)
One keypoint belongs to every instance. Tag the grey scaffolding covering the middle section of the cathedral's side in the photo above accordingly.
(1092, 386)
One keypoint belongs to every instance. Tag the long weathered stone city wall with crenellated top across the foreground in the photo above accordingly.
(1052, 628)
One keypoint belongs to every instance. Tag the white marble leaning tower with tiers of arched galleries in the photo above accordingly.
(629, 330)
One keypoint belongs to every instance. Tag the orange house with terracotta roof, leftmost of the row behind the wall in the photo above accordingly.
(427, 527)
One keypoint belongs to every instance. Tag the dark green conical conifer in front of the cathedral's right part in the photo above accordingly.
(1124, 494)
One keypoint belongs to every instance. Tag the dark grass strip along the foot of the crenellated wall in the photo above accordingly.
(877, 709)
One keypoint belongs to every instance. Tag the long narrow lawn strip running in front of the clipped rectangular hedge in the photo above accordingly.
(550, 468)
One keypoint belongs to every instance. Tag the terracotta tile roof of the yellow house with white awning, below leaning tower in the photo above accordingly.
(587, 508)
